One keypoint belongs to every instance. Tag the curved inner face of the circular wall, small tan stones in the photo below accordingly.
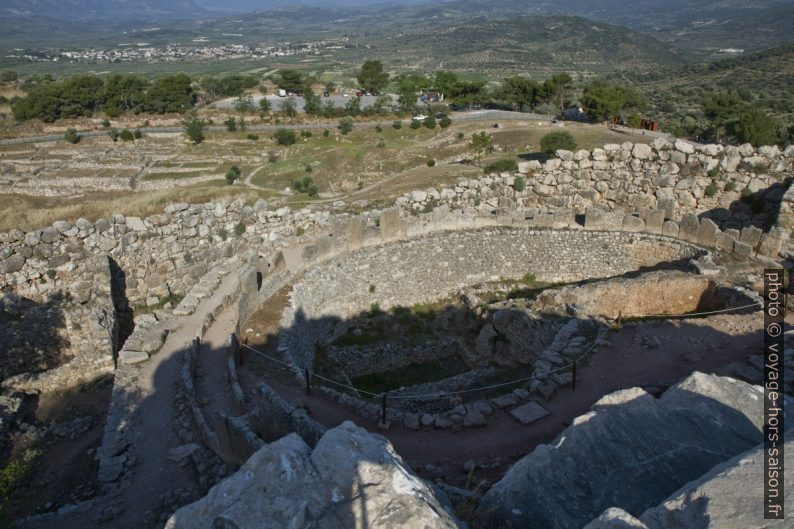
(429, 268)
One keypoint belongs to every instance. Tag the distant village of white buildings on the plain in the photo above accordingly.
(143, 51)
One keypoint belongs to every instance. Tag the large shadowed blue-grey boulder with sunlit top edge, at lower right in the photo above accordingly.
(630, 451)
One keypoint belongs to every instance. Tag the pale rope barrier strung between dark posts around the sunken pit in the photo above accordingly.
(493, 386)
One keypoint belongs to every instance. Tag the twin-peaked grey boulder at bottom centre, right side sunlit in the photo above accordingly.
(351, 479)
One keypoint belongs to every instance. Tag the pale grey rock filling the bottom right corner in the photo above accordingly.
(728, 497)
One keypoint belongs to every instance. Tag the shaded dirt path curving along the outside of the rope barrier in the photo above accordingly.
(681, 347)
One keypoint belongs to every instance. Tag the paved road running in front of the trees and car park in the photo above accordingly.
(477, 115)
